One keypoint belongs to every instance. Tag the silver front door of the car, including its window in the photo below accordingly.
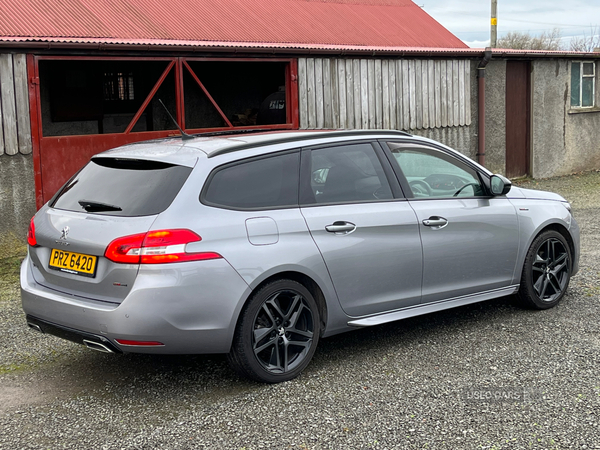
(470, 239)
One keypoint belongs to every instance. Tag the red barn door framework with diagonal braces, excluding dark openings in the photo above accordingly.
(56, 158)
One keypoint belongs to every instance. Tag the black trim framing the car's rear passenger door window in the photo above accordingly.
(306, 194)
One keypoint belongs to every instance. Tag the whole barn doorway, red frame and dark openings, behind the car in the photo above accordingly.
(81, 106)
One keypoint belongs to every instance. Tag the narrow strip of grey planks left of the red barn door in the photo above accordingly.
(15, 129)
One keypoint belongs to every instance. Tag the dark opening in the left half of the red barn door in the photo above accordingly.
(102, 96)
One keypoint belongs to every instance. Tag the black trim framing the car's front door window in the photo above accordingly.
(483, 177)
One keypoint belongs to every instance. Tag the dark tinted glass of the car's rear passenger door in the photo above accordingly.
(350, 173)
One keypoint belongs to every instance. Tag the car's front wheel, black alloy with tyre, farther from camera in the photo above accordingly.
(546, 272)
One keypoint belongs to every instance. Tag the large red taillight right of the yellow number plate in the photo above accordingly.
(156, 247)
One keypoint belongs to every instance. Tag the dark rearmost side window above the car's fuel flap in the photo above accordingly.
(264, 183)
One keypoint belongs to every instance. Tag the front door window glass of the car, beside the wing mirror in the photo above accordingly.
(431, 173)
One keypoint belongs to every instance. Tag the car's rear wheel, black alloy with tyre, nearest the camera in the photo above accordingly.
(277, 333)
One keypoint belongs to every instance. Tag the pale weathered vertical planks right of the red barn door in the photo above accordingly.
(402, 94)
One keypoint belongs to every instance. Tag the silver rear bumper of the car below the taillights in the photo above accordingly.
(191, 309)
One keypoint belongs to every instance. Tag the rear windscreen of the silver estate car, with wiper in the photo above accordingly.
(122, 187)
